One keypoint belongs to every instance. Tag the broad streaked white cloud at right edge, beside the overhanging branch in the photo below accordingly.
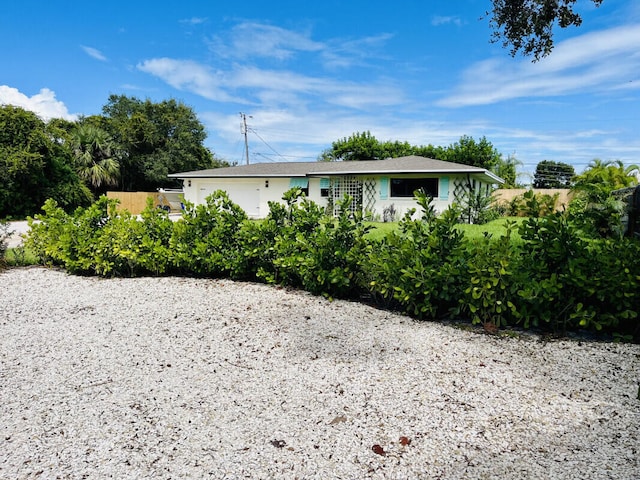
(594, 62)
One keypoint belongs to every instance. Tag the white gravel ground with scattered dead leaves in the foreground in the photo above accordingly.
(194, 378)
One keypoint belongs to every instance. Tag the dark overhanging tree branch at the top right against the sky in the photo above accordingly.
(526, 26)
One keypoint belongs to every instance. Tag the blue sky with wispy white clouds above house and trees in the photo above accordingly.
(309, 73)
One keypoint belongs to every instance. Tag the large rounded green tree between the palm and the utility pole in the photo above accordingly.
(156, 139)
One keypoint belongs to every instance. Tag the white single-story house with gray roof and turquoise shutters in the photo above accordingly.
(375, 185)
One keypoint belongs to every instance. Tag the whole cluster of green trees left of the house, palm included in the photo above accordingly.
(132, 146)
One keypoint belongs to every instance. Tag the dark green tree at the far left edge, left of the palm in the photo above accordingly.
(35, 164)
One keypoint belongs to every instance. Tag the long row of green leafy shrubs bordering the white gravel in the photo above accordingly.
(554, 279)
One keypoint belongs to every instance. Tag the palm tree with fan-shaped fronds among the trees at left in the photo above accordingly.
(95, 157)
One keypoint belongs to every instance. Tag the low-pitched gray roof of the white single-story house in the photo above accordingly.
(406, 165)
